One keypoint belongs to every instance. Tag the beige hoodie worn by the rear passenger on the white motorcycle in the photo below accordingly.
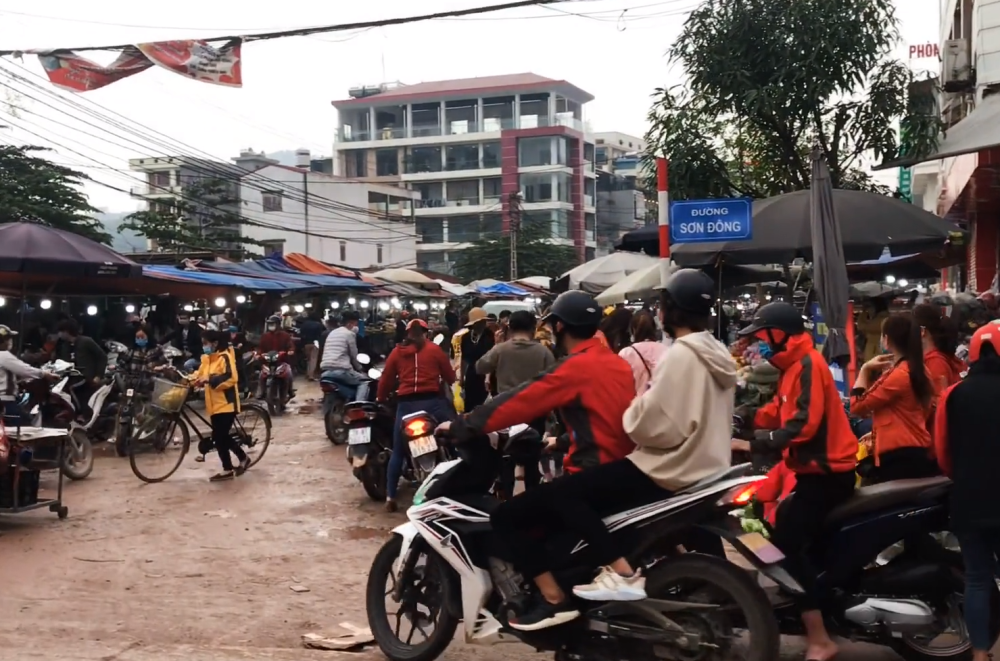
(682, 425)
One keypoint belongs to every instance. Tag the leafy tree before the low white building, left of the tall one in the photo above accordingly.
(204, 219)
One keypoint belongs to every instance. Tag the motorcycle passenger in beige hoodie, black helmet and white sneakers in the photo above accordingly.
(682, 430)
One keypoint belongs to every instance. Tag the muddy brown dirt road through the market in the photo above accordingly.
(190, 570)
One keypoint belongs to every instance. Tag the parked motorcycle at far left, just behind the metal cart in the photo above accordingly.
(54, 406)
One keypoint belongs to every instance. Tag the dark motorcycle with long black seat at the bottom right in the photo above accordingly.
(907, 602)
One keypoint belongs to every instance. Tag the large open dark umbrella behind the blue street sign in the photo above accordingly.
(869, 222)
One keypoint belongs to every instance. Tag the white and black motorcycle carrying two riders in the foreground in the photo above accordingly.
(446, 566)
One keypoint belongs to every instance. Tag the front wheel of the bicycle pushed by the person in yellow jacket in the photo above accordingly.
(158, 447)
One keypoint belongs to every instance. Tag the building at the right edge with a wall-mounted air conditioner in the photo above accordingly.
(959, 180)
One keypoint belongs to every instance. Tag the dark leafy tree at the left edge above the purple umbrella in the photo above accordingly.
(37, 190)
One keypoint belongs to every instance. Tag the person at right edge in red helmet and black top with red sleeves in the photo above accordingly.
(965, 440)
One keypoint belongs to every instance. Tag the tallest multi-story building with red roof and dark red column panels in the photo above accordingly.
(466, 146)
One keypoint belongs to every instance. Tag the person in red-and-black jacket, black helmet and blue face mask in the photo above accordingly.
(806, 422)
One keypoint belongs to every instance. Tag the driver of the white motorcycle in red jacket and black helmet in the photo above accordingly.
(590, 389)
